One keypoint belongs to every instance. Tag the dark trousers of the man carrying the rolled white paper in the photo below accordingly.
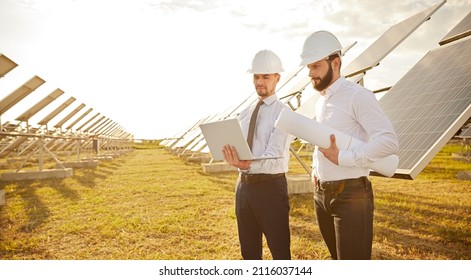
(344, 212)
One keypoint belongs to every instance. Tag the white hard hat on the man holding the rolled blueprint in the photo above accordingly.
(319, 45)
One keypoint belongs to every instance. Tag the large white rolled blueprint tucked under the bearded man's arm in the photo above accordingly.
(319, 134)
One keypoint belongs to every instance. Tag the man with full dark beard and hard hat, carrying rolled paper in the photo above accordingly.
(343, 195)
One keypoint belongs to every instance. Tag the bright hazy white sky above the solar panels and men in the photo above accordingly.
(157, 67)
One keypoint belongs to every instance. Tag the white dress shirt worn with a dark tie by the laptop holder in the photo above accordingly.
(268, 141)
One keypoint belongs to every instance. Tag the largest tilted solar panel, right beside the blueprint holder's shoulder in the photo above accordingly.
(430, 104)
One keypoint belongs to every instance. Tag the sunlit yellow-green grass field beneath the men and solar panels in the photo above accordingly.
(149, 204)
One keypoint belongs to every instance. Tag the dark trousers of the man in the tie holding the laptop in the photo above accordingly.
(263, 208)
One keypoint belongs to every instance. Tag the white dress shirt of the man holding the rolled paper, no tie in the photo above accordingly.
(354, 110)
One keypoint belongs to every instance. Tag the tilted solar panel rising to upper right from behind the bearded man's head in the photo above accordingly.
(388, 41)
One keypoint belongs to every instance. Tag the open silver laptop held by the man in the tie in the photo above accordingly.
(227, 132)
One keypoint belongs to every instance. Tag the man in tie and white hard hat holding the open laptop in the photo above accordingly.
(262, 202)
